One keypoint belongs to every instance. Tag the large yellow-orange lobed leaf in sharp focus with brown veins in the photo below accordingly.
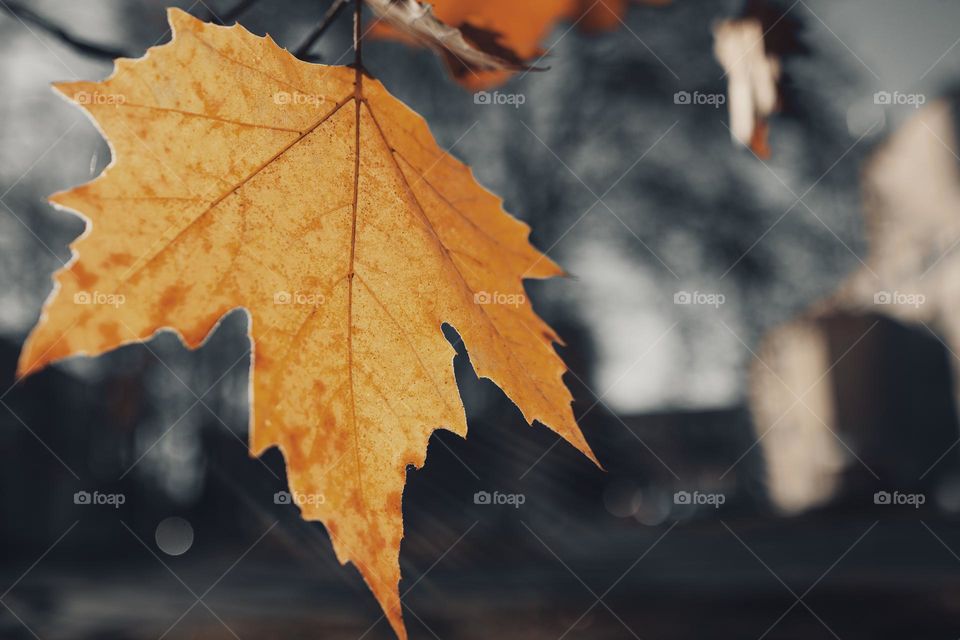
(311, 197)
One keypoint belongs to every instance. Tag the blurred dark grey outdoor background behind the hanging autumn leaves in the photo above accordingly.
(793, 402)
